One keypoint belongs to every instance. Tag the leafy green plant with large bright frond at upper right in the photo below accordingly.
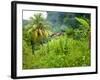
(81, 32)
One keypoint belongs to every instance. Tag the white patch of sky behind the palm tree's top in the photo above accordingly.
(28, 14)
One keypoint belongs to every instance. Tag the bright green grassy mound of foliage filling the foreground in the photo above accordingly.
(61, 52)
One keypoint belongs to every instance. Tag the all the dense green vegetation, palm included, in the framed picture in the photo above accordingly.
(44, 47)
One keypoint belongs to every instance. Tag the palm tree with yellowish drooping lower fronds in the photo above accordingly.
(39, 30)
